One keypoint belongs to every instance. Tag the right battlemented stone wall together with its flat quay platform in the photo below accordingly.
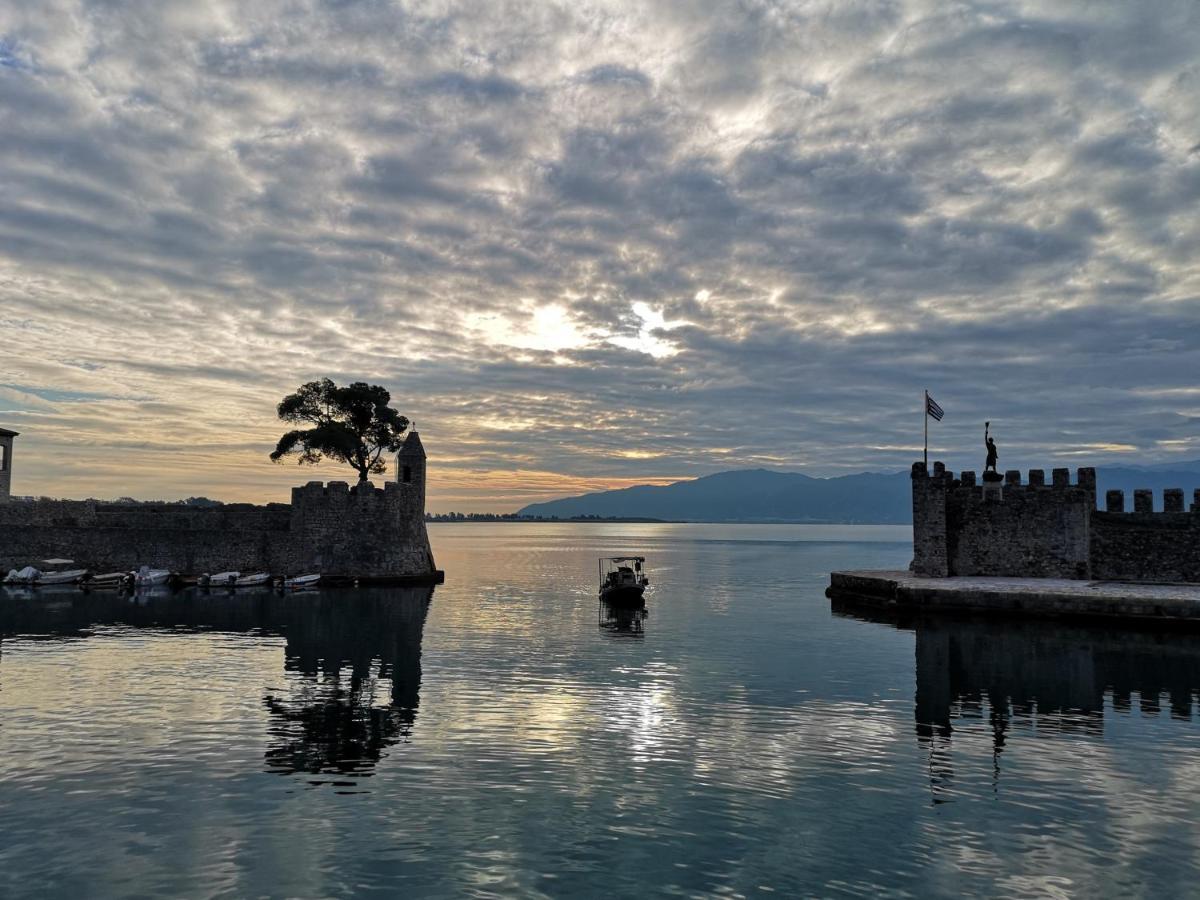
(1040, 549)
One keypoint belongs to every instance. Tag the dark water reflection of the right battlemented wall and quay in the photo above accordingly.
(1052, 677)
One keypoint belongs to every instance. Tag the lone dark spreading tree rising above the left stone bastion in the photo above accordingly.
(352, 425)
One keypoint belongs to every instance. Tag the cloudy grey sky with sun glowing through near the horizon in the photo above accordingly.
(591, 245)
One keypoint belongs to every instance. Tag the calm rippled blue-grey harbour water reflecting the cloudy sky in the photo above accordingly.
(506, 736)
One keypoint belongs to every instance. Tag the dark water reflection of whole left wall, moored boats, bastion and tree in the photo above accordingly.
(356, 656)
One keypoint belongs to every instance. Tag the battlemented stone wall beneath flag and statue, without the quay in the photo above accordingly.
(1049, 531)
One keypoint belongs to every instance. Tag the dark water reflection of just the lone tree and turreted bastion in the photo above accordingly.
(358, 661)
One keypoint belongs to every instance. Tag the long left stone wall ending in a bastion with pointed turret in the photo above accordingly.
(363, 532)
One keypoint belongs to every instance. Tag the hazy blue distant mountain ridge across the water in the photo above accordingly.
(766, 496)
